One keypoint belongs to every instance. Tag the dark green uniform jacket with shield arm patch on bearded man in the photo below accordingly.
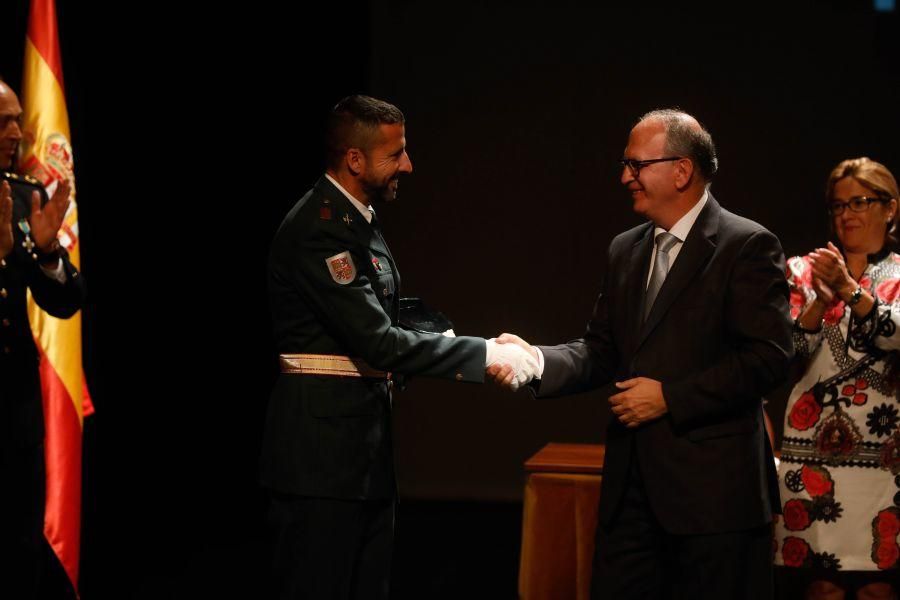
(331, 436)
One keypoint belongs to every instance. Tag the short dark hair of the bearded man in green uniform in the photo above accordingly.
(354, 123)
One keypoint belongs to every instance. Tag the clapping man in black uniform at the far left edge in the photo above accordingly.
(30, 259)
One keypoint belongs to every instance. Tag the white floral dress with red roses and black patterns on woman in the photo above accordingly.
(840, 459)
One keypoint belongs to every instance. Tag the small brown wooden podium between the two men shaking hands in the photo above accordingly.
(559, 521)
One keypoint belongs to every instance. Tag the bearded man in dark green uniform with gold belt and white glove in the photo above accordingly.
(327, 455)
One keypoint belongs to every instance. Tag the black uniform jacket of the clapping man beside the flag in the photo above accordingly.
(21, 413)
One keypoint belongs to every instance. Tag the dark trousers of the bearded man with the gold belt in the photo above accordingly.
(330, 549)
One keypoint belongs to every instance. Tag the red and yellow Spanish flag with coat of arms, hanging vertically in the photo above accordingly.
(47, 155)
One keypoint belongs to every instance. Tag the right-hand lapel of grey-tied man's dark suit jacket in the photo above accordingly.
(697, 248)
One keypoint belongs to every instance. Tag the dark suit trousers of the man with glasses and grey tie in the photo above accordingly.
(636, 558)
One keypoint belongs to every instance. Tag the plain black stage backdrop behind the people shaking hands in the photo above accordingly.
(195, 130)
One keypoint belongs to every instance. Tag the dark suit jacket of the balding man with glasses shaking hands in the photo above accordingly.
(718, 337)
